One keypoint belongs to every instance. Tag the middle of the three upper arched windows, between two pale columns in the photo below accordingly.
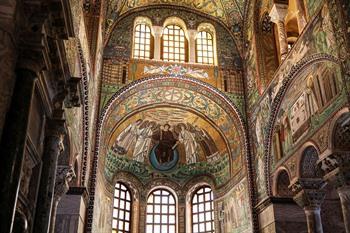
(174, 44)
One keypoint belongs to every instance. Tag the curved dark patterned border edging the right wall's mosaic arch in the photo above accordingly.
(275, 106)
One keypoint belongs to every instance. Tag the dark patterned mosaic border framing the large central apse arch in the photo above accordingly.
(132, 85)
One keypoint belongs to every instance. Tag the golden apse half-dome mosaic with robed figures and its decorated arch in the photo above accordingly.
(171, 127)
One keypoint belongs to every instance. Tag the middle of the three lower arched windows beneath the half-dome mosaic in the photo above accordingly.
(161, 212)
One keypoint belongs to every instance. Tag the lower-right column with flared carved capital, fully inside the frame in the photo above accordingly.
(309, 195)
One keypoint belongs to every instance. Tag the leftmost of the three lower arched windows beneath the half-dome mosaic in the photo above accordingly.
(121, 209)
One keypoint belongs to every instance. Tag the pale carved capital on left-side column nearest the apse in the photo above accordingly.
(64, 175)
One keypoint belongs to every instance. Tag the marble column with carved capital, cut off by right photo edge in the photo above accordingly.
(336, 167)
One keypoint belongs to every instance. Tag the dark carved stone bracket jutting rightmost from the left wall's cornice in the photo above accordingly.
(73, 98)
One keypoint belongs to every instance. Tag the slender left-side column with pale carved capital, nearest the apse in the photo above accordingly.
(64, 175)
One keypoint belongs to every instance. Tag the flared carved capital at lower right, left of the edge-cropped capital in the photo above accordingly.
(308, 192)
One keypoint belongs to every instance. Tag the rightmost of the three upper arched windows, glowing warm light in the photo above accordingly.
(205, 48)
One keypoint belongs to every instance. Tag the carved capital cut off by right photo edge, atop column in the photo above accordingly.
(336, 168)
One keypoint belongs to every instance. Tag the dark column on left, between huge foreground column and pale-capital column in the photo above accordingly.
(53, 147)
